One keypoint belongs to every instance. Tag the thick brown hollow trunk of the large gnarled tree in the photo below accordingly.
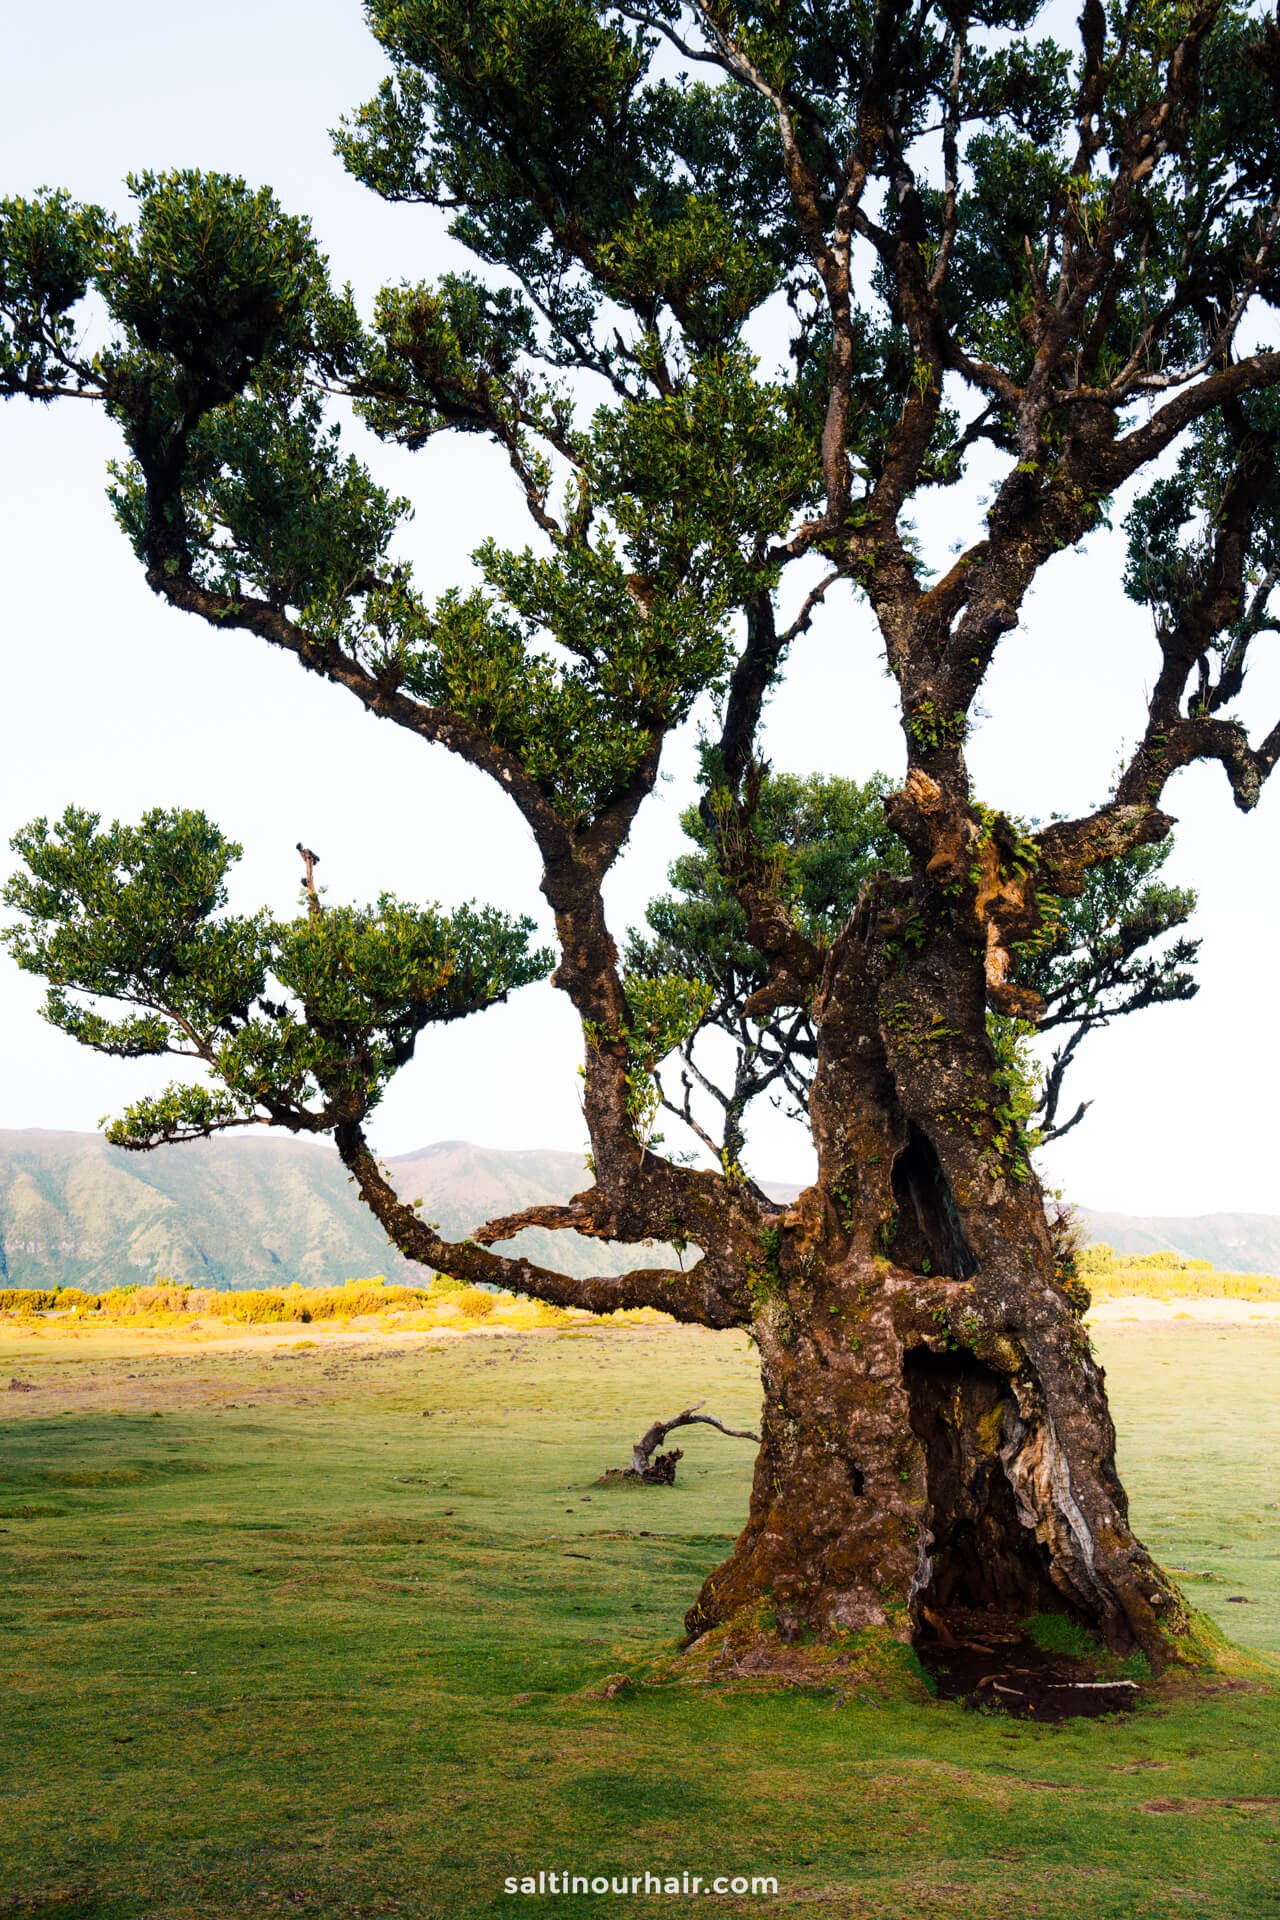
(937, 1451)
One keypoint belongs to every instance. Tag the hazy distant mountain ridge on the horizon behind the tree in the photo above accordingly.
(266, 1212)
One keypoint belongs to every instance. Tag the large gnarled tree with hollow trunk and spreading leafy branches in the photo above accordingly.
(970, 247)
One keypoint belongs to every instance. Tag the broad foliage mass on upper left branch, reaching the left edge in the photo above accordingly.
(224, 329)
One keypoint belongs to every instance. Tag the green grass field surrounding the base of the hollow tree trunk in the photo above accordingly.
(312, 1629)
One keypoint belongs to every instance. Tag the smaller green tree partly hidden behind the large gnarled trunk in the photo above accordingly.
(830, 838)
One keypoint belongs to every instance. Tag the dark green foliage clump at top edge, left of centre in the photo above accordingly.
(573, 166)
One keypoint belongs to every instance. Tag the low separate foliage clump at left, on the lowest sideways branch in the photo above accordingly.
(298, 1022)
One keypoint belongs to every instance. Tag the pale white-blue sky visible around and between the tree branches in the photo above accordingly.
(118, 704)
